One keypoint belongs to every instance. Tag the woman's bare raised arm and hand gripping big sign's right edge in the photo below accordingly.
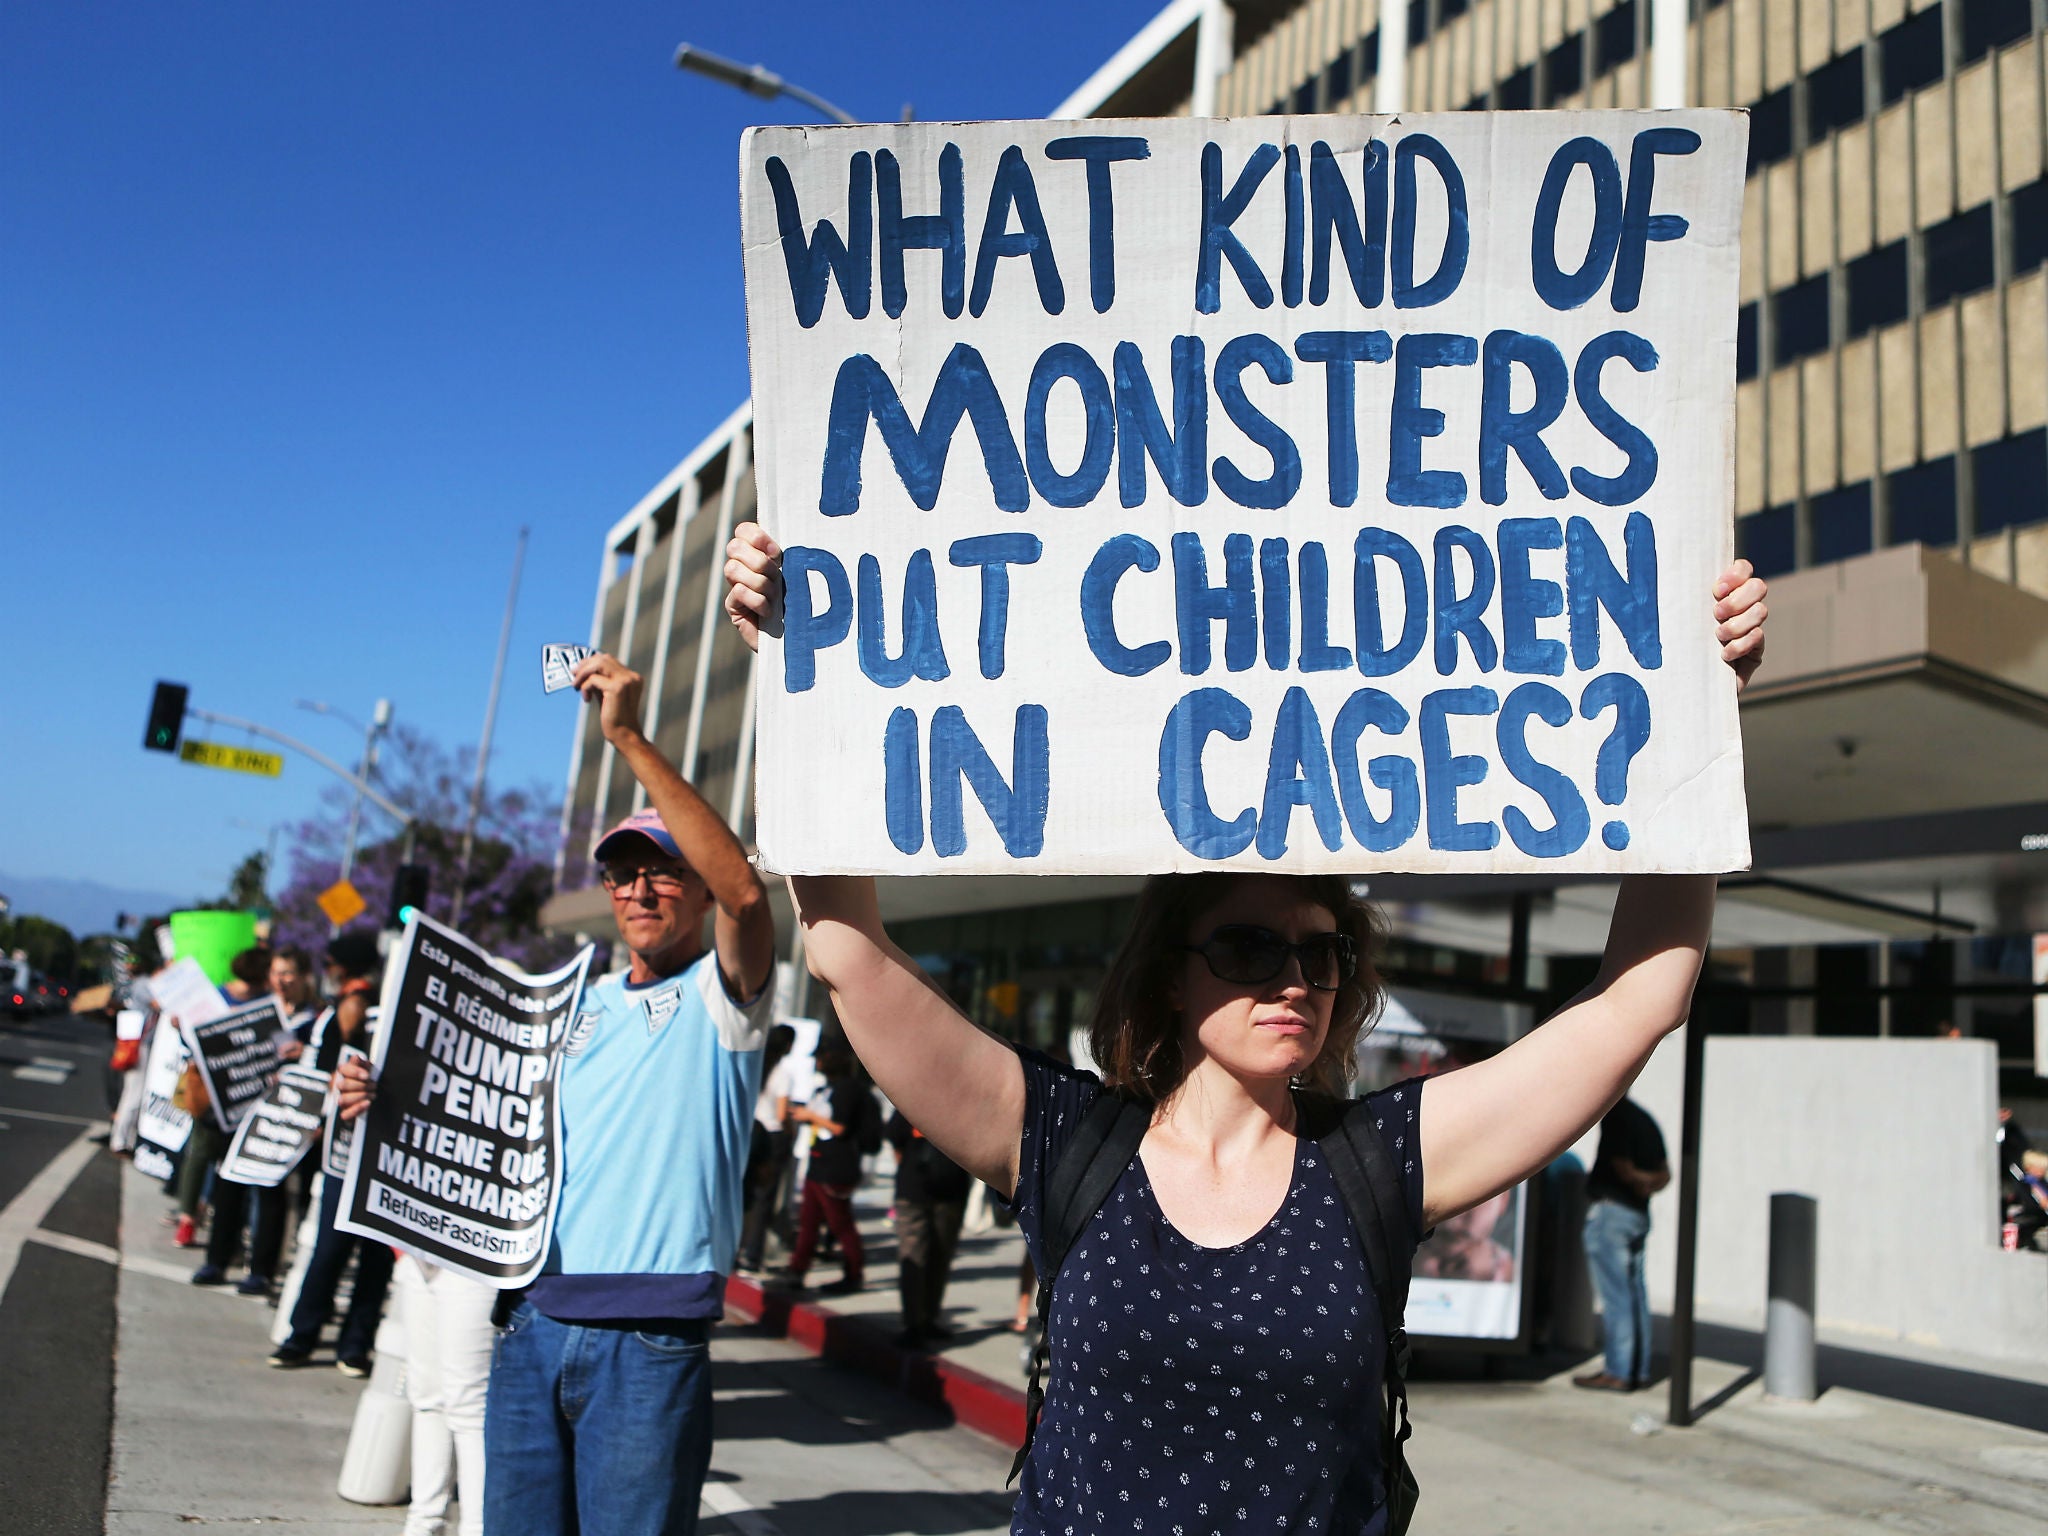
(1500, 1121)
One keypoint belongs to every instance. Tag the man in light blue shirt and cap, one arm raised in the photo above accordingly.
(599, 1414)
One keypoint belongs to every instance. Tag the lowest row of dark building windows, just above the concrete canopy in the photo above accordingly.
(2008, 490)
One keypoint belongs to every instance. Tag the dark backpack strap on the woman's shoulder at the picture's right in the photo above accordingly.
(1373, 1197)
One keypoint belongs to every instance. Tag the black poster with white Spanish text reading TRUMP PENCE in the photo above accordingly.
(460, 1154)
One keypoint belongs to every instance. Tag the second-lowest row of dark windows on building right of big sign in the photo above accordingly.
(1959, 257)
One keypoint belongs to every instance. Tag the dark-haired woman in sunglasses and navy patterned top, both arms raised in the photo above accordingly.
(1215, 1336)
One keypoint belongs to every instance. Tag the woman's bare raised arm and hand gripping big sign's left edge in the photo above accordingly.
(959, 1086)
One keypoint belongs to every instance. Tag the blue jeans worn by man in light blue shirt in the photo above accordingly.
(597, 1431)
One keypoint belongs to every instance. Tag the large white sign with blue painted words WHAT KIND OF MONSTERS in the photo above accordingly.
(1295, 493)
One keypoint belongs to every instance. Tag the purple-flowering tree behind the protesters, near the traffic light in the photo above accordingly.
(511, 865)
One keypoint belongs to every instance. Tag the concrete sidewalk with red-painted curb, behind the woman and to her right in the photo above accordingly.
(1900, 1441)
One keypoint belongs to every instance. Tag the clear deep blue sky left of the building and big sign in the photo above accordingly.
(306, 310)
